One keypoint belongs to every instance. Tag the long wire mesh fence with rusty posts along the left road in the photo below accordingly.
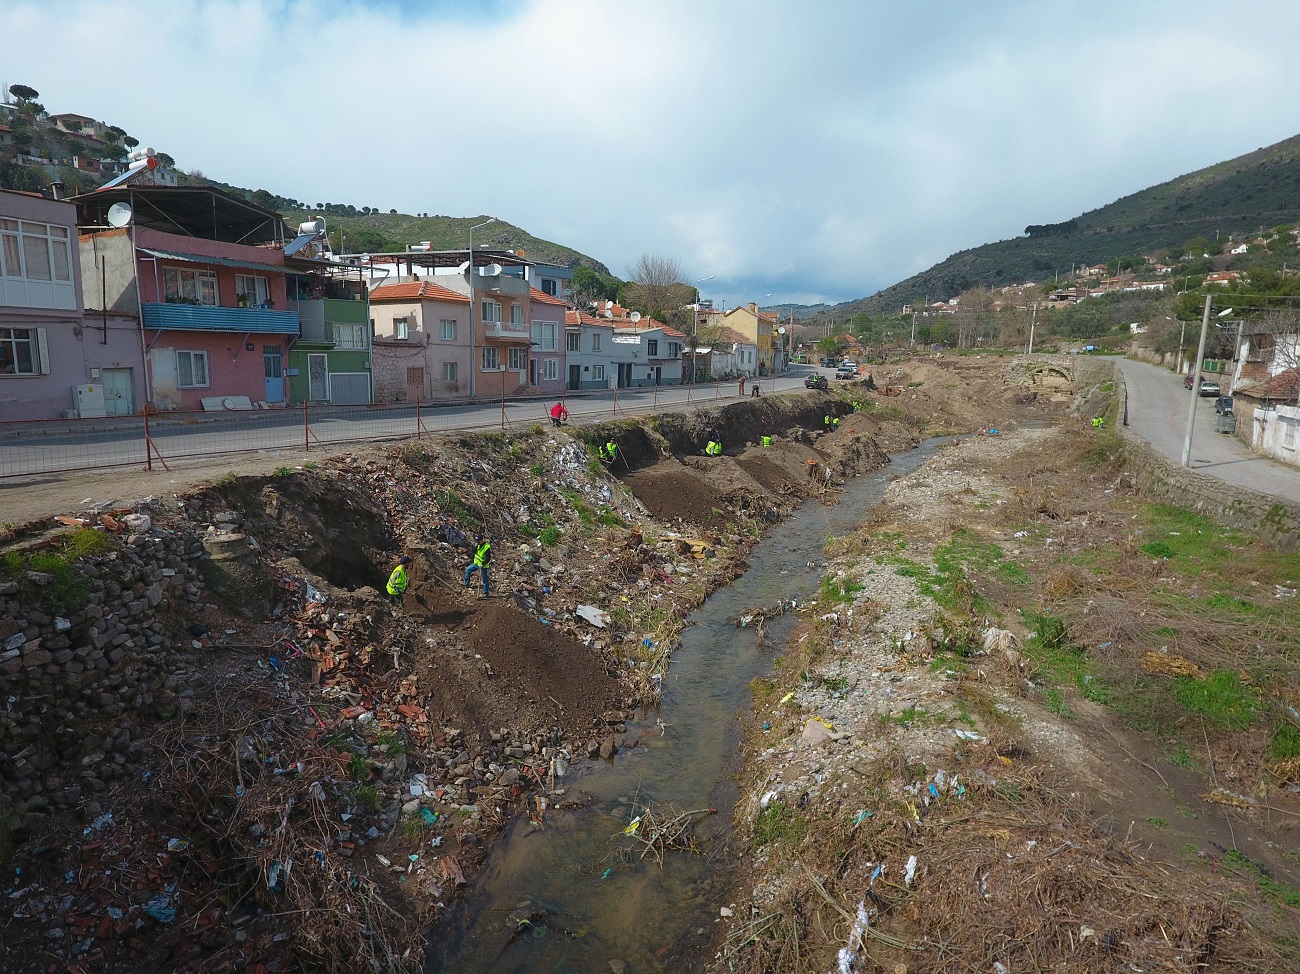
(153, 441)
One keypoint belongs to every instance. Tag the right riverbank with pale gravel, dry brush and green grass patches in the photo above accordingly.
(1034, 722)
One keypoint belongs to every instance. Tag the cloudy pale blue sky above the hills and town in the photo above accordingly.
(801, 151)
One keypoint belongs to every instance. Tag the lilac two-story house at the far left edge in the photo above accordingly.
(53, 358)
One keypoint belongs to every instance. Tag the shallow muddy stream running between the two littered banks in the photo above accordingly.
(588, 911)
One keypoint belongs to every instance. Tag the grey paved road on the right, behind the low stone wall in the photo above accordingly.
(1158, 413)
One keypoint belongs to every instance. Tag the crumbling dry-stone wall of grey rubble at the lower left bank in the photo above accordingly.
(77, 689)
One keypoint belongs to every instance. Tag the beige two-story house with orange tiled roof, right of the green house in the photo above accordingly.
(422, 343)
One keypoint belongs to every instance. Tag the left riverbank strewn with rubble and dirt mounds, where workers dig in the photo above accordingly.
(245, 755)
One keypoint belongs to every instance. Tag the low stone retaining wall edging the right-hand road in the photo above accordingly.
(1279, 522)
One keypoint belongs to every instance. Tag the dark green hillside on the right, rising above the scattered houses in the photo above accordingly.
(1236, 198)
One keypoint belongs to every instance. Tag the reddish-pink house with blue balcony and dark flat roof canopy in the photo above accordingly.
(203, 274)
